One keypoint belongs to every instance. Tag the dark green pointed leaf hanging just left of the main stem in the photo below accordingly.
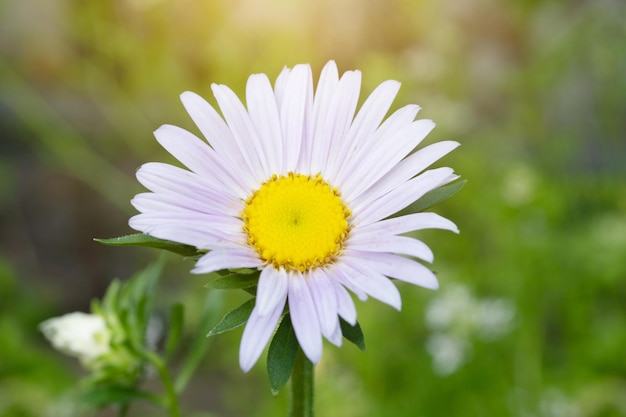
(281, 355)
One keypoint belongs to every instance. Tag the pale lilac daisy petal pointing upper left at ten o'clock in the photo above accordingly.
(200, 158)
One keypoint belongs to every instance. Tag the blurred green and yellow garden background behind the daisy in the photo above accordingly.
(530, 319)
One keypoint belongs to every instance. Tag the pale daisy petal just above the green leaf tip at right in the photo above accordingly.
(367, 211)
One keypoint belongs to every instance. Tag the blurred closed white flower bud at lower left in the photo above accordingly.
(82, 335)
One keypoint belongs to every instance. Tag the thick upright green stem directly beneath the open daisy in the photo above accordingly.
(302, 387)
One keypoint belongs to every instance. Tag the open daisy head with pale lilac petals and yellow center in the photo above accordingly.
(299, 185)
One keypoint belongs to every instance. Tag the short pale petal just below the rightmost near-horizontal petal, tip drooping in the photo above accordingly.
(394, 244)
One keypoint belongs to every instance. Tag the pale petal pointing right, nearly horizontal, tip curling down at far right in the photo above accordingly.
(405, 224)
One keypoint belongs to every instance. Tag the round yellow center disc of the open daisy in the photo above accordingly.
(297, 222)
